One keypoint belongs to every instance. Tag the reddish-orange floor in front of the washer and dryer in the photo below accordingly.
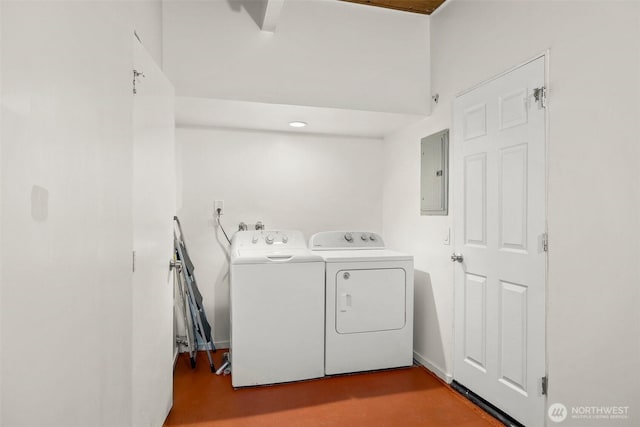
(400, 397)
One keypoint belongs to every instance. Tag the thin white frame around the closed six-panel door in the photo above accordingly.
(456, 185)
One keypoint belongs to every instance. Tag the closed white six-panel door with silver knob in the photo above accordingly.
(500, 225)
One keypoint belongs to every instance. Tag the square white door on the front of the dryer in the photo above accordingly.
(370, 300)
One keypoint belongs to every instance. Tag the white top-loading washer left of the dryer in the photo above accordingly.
(277, 308)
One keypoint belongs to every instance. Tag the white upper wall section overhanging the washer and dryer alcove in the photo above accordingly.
(324, 53)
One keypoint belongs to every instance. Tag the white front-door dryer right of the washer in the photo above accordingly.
(369, 302)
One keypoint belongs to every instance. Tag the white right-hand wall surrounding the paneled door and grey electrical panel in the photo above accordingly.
(594, 203)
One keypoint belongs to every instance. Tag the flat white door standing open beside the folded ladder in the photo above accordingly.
(154, 205)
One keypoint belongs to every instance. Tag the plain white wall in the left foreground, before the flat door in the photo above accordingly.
(66, 213)
